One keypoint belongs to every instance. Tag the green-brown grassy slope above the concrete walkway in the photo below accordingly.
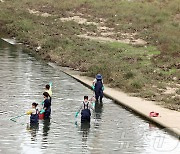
(146, 71)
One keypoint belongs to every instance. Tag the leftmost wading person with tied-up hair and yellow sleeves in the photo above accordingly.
(34, 118)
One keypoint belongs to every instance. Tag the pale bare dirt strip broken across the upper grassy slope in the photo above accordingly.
(105, 34)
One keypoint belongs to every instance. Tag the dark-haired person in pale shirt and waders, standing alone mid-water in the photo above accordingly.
(85, 110)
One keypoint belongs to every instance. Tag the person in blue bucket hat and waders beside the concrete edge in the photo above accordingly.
(98, 87)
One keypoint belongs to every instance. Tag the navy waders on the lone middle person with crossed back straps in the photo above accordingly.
(85, 114)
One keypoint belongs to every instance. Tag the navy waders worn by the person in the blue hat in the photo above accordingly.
(98, 90)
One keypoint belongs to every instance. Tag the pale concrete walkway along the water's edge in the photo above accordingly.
(168, 119)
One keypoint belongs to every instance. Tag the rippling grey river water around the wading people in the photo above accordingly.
(112, 129)
